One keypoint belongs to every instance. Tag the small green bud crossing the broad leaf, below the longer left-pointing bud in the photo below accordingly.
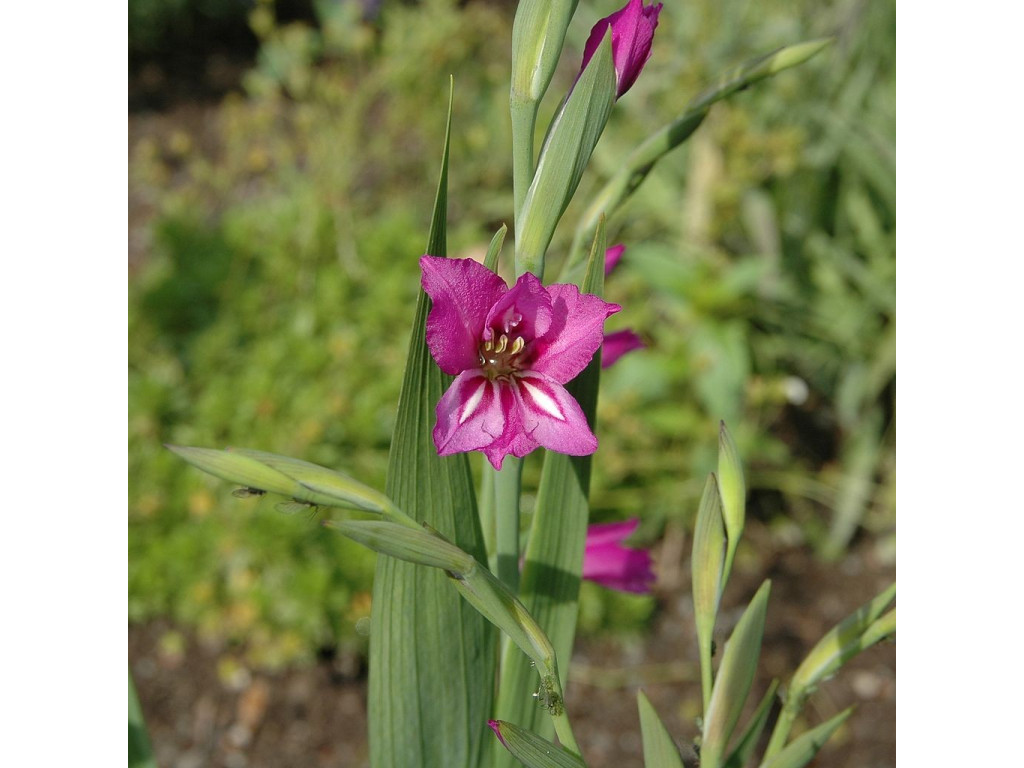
(408, 544)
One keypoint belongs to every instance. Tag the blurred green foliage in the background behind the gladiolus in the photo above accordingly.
(271, 302)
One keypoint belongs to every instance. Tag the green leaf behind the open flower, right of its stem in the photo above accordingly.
(551, 575)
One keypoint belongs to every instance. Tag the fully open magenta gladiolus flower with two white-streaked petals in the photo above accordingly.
(511, 352)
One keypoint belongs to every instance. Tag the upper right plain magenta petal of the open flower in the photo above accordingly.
(576, 333)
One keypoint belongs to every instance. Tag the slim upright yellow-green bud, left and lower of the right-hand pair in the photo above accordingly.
(707, 564)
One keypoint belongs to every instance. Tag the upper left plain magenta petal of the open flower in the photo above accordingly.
(463, 291)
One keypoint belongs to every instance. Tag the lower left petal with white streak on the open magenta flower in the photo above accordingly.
(471, 414)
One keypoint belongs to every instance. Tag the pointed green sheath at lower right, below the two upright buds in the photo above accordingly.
(736, 675)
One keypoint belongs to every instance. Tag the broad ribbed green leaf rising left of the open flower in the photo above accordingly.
(432, 655)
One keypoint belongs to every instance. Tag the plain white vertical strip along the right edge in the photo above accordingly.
(962, 251)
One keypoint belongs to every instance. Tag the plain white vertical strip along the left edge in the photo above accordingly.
(64, 315)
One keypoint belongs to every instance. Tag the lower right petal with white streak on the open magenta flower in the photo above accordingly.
(551, 417)
